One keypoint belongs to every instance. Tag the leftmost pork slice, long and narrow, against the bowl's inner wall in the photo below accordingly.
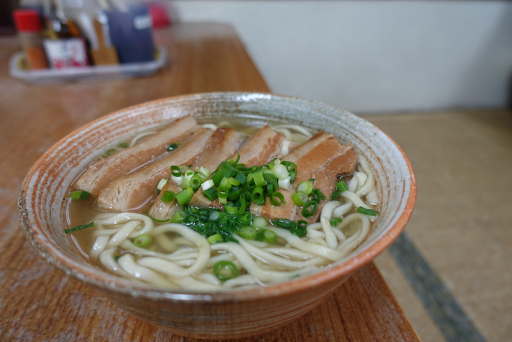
(103, 171)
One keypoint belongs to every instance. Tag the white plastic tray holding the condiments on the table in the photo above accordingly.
(91, 73)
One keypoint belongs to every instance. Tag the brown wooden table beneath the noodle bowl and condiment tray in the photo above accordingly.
(39, 302)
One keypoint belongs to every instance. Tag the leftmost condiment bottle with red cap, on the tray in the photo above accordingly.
(29, 28)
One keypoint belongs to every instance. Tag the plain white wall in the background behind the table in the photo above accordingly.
(374, 56)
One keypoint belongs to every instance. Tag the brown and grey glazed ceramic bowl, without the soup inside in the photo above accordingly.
(235, 314)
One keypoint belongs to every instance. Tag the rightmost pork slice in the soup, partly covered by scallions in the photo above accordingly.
(322, 158)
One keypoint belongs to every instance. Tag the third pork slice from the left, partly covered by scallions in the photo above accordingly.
(221, 145)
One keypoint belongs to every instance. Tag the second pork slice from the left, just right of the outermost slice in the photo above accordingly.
(135, 190)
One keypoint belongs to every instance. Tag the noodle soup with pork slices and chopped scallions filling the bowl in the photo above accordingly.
(216, 207)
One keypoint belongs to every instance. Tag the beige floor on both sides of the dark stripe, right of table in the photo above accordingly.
(462, 223)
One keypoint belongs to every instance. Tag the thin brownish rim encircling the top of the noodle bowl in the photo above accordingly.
(106, 281)
